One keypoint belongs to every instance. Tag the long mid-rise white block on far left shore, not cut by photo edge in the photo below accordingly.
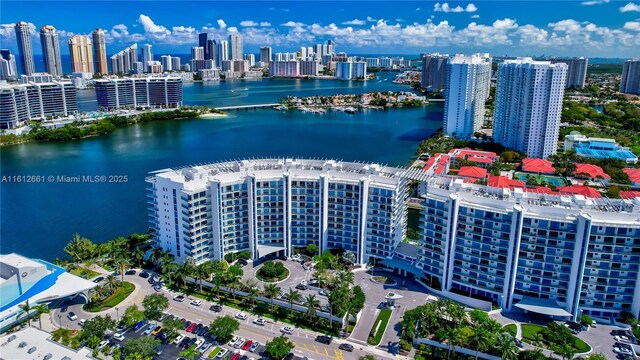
(116, 93)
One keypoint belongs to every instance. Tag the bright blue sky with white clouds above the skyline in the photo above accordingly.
(594, 28)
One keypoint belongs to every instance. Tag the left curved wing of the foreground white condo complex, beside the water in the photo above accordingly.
(272, 206)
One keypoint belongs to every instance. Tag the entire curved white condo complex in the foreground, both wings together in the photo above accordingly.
(562, 255)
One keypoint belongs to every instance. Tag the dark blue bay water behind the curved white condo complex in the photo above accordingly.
(38, 219)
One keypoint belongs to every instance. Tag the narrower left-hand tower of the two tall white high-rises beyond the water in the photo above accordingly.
(467, 88)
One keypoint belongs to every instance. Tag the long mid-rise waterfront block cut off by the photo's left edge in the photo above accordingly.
(36, 101)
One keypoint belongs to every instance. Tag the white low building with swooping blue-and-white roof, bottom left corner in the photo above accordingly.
(35, 281)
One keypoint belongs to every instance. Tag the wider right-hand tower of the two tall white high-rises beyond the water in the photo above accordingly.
(528, 105)
